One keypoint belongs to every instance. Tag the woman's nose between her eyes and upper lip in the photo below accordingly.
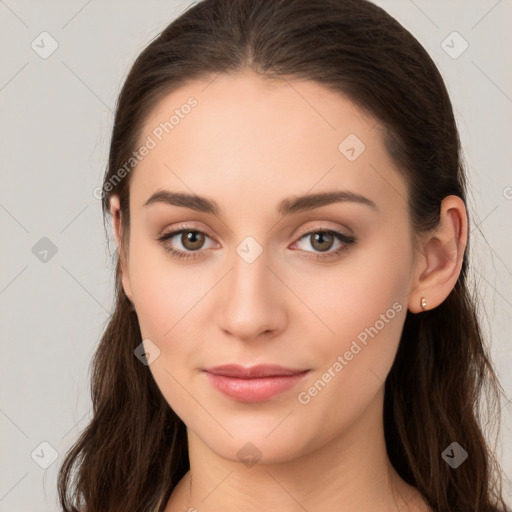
(253, 300)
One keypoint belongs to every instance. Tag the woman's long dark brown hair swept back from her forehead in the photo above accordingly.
(134, 451)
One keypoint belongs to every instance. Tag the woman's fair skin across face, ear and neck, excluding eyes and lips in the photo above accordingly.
(247, 145)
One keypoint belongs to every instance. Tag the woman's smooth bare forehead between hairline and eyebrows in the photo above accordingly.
(242, 138)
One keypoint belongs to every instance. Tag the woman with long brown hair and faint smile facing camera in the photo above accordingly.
(293, 328)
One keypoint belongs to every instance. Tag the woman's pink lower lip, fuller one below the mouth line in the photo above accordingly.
(256, 389)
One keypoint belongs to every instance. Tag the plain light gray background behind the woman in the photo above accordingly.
(56, 118)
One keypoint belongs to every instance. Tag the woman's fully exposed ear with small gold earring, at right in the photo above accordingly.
(438, 265)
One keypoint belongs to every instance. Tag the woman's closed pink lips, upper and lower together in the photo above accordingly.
(253, 384)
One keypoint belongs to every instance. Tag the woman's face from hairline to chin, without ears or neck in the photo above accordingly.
(261, 284)
